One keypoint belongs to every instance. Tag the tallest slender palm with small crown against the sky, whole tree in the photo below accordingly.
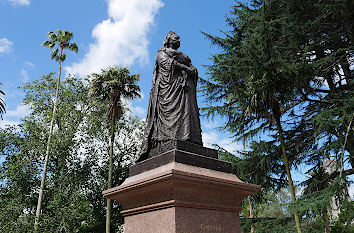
(61, 39)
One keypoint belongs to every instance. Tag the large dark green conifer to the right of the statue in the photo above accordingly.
(289, 64)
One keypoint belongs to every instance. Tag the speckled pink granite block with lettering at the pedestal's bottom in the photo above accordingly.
(183, 220)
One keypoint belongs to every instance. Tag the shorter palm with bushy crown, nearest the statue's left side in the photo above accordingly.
(110, 86)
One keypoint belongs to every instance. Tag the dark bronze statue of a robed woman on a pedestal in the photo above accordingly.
(173, 111)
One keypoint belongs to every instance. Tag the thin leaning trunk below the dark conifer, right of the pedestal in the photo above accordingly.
(287, 169)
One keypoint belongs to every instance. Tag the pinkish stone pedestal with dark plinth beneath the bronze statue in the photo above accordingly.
(171, 196)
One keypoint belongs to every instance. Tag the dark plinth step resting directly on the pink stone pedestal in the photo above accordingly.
(180, 155)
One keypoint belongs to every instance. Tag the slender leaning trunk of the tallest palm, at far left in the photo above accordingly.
(46, 159)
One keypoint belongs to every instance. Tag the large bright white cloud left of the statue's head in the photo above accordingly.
(122, 38)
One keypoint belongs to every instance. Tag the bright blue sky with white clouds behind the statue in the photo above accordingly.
(123, 32)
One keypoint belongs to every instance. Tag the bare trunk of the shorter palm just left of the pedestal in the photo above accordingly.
(110, 167)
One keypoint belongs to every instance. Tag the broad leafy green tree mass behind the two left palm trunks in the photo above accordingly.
(77, 173)
